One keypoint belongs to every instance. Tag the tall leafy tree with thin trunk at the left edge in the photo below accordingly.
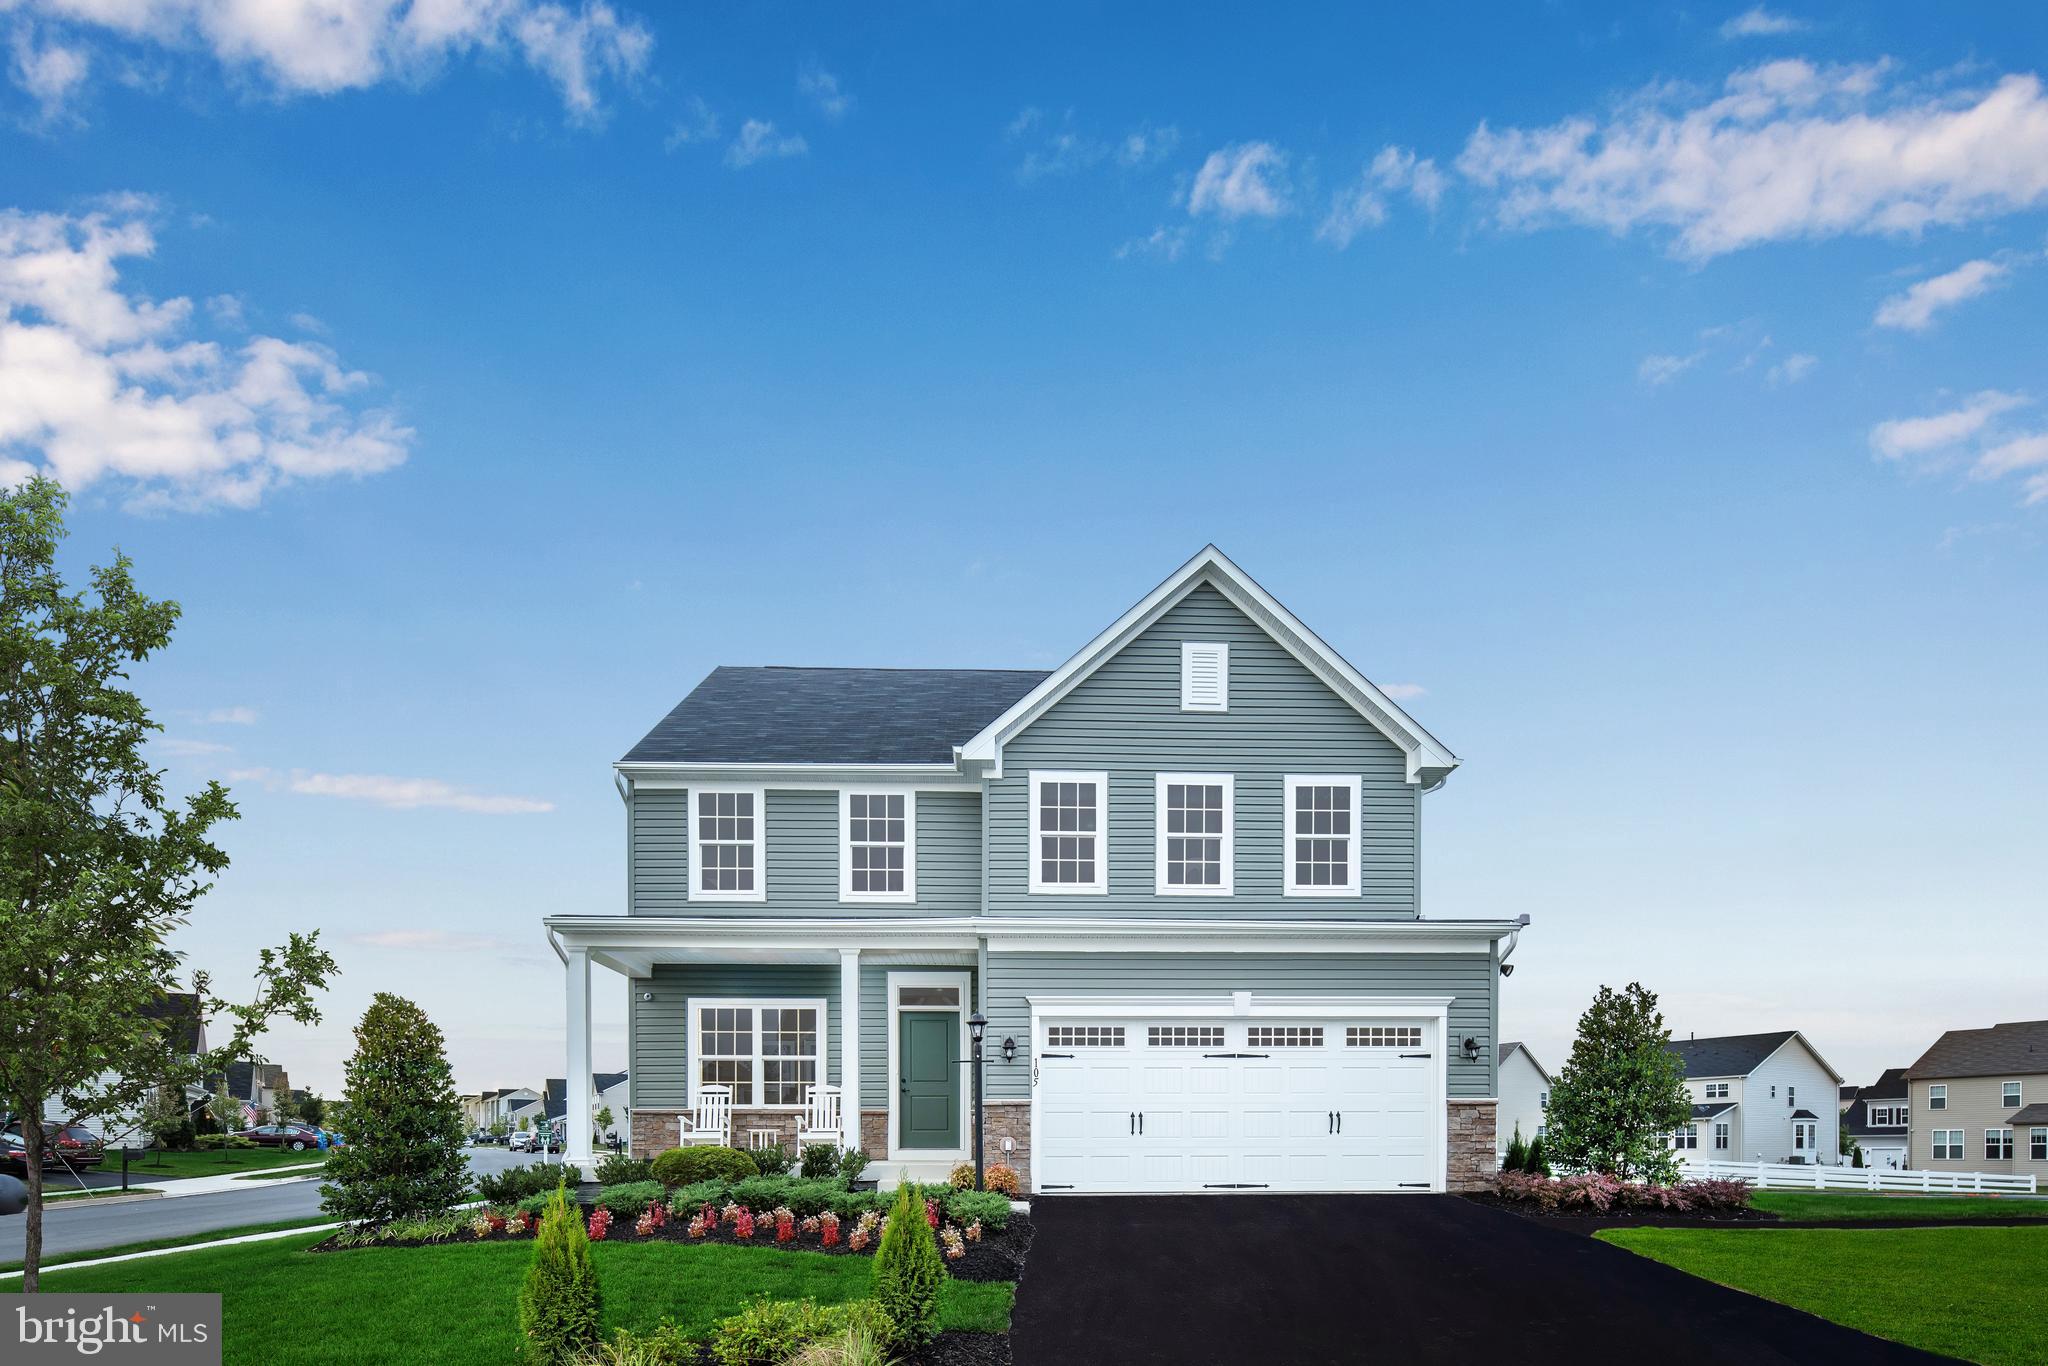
(99, 865)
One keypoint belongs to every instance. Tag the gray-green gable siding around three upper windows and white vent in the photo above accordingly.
(1127, 720)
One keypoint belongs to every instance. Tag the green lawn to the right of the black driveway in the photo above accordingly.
(1971, 1293)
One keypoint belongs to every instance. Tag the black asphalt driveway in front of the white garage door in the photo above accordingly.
(1377, 1279)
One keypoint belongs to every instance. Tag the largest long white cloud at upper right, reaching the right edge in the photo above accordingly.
(1789, 151)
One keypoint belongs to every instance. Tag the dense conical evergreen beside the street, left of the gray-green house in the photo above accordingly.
(404, 1154)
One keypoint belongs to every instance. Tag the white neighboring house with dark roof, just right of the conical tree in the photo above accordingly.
(1760, 1099)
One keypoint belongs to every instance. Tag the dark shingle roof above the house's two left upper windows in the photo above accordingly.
(800, 716)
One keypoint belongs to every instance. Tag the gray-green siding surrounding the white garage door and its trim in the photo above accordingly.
(1463, 978)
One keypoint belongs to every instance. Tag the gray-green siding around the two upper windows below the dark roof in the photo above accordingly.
(804, 857)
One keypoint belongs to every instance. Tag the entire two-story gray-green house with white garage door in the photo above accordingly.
(1179, 876)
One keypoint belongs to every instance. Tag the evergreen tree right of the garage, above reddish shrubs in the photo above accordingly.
(1621, 1093)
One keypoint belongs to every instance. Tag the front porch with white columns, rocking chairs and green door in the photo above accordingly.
(769, 1013)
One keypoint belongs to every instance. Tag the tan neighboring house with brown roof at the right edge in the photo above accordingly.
(1979, 1101)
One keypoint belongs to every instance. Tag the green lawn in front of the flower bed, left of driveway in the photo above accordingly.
(460, 1304)
